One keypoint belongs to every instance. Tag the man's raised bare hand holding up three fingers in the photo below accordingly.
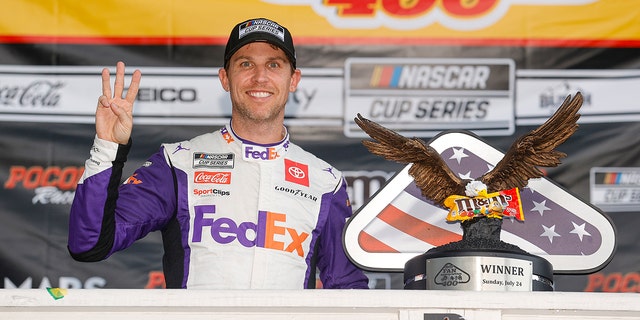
(114, 114)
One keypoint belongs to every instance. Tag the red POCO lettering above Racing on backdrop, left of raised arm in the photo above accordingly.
(64, 178)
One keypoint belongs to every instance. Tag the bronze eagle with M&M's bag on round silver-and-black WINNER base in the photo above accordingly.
(481, 261)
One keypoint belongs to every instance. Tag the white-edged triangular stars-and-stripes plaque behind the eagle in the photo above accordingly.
(398, 223)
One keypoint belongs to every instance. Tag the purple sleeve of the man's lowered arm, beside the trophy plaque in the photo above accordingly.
(336, 270)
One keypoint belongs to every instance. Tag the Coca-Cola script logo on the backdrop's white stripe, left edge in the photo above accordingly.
(41, 93)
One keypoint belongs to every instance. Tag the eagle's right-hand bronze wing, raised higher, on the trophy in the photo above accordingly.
(535, 149)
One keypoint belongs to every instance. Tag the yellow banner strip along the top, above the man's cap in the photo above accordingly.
(479, 22)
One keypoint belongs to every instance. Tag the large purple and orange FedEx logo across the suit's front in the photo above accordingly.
(271, 231)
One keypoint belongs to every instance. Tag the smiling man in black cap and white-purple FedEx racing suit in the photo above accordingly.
(241, 207)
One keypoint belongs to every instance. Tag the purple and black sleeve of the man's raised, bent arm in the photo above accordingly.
(107, 216)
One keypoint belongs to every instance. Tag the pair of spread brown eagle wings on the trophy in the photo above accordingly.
(437, 182)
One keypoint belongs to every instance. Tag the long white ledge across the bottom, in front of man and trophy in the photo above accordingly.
(313, 304)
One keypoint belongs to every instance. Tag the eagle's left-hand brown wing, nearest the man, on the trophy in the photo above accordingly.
(429, 171)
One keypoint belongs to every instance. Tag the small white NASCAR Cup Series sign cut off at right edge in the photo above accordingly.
(615, 189)
